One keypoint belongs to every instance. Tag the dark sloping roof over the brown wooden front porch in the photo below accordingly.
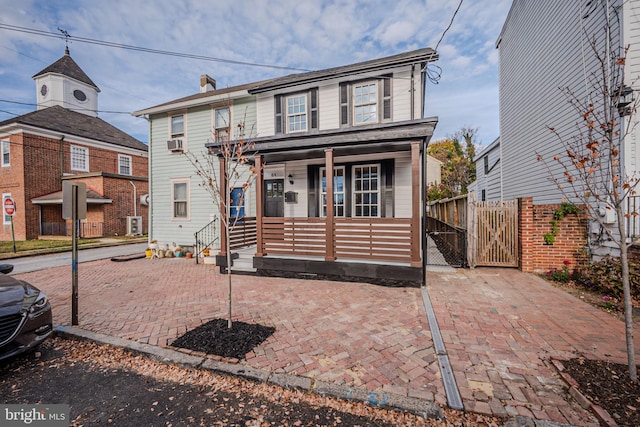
(367, 139)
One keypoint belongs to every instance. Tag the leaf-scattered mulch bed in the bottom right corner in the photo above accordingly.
(607, 384)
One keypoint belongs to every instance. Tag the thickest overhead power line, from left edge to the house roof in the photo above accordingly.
(142, 49)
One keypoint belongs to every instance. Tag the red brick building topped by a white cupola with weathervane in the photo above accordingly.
(64, 140)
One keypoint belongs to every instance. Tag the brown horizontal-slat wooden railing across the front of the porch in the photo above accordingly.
(381, 239)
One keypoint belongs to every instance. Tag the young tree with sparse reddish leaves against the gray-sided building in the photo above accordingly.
(591, 170)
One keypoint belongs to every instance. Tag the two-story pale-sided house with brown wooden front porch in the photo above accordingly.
(361, 122)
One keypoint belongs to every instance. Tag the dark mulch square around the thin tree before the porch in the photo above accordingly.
(214, 337)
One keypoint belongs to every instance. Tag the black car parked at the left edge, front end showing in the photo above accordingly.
(25, 315)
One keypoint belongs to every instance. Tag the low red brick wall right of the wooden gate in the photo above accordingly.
(570, 242)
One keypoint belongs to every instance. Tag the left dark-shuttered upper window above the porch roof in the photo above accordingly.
(296, 112)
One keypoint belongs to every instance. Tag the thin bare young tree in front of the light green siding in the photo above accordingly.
(238, 173)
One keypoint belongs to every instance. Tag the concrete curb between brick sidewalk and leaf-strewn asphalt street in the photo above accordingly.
(423, 408)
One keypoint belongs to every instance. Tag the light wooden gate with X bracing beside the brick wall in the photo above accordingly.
(495, 233)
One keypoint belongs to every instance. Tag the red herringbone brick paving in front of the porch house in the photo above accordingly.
(501, 329)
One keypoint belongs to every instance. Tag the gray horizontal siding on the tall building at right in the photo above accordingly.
(542, 48)
